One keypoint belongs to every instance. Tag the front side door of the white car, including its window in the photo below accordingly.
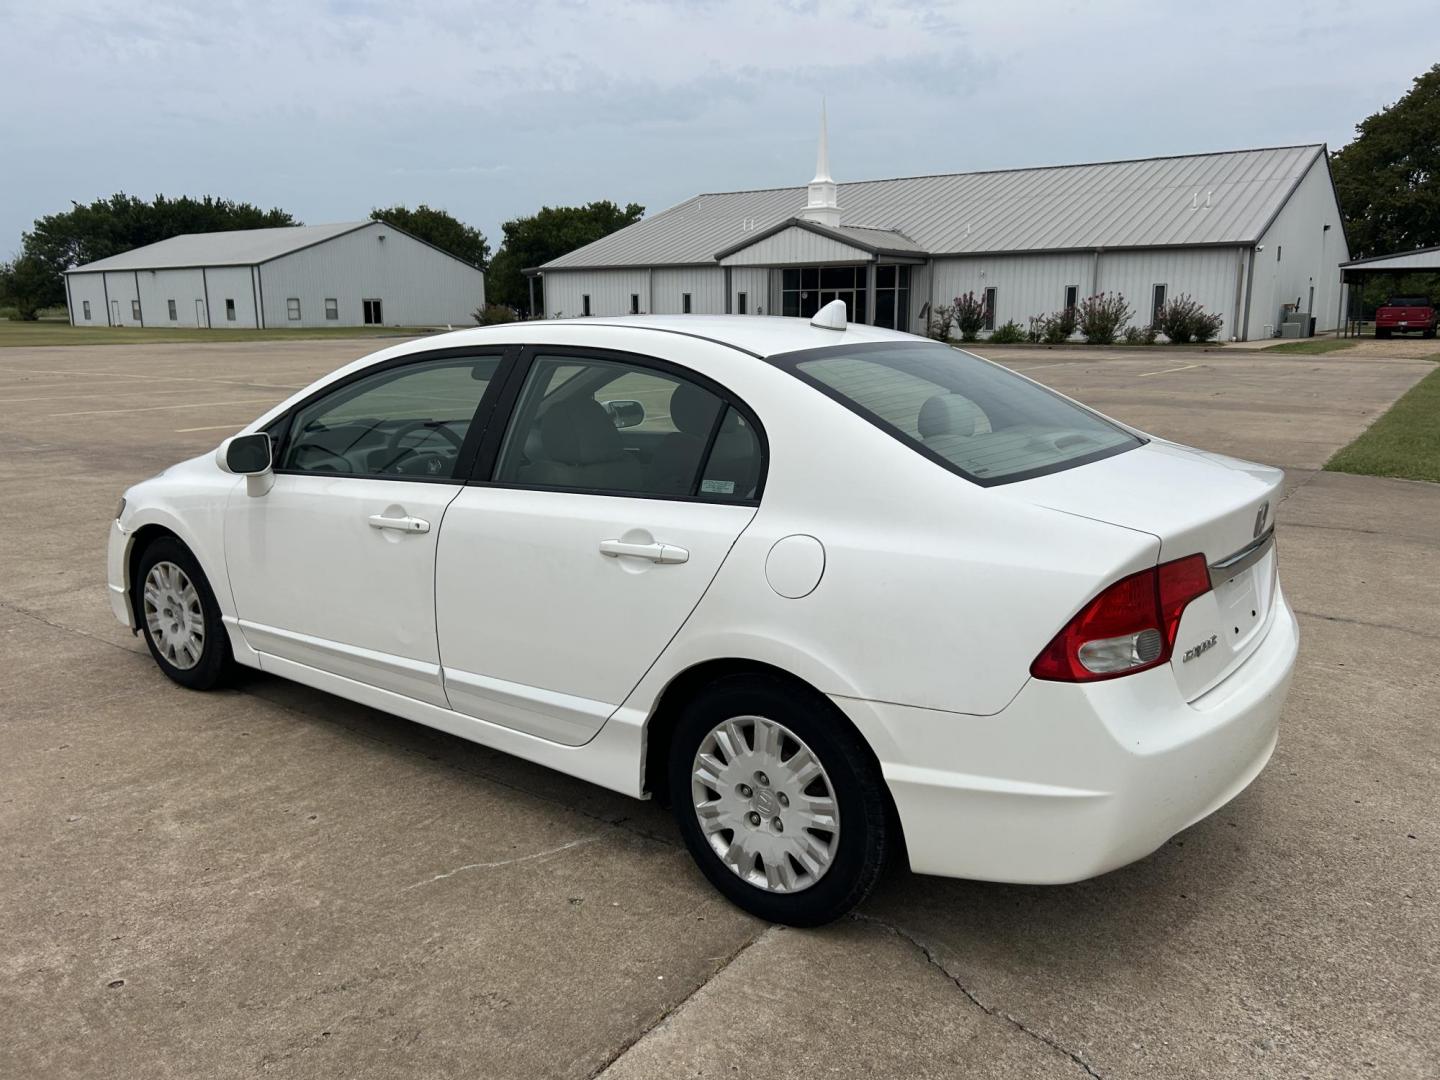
(335, 567)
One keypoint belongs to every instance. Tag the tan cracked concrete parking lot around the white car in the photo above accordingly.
(270, 881)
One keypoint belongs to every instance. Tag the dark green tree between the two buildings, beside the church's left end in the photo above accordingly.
(552, 233)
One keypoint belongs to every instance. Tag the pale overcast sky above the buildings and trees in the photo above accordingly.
(495, 110)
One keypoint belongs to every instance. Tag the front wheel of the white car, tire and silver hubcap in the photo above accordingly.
(179, 617)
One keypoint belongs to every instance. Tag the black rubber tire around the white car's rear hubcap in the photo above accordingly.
(863, 840)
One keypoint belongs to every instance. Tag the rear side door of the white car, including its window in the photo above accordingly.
(617, 492)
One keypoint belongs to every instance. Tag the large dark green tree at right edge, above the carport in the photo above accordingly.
(1387, 176)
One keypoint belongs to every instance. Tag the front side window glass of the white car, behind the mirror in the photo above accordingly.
(402, 423)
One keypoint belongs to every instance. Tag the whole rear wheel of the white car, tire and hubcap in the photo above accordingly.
(778, 800)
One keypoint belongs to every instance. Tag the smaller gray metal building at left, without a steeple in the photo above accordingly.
(312, 276)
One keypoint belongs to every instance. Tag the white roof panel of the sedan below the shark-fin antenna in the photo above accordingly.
(760, 336)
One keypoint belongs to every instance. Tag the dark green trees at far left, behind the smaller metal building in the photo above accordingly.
(119, 224)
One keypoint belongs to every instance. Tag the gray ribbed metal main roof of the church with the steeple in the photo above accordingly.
(1199, 199)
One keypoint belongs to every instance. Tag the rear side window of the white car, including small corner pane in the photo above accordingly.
(608, 427)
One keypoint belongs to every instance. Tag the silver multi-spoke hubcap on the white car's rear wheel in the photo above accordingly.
(765, 804)
